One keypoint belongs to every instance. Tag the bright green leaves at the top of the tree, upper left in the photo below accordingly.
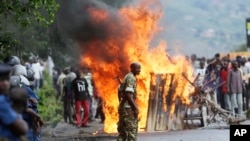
(26, 12)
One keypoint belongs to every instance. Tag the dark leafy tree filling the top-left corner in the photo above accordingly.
(22, 25)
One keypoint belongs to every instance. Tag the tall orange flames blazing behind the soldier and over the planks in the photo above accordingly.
(111, 56)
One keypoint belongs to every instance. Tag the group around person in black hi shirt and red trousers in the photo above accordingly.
(81, 102)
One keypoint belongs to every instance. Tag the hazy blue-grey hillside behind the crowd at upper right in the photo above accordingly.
(204, 26)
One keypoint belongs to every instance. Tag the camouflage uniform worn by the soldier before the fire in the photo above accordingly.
(128, 123)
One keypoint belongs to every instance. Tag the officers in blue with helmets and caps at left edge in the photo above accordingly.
(19, 116)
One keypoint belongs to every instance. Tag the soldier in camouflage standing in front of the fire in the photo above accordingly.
(128, 110)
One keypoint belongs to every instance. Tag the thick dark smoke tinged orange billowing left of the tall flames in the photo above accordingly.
(91, 23)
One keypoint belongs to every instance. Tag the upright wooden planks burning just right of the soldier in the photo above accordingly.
(162, 90)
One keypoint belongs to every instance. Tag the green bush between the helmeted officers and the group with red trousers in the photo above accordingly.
(49, 107)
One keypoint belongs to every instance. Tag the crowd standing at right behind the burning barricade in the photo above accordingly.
(224, 80)
